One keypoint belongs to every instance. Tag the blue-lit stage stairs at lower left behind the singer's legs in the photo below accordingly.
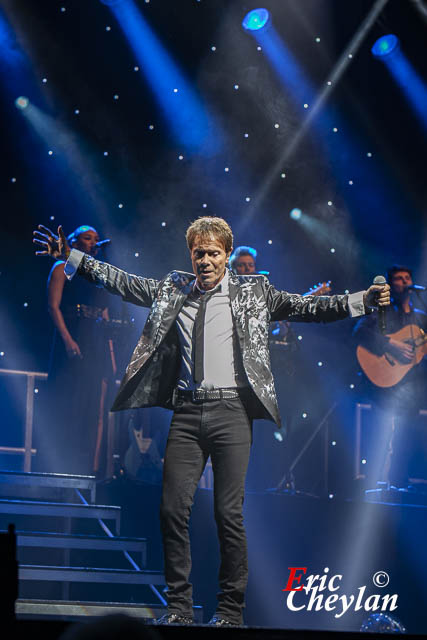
(46, 509)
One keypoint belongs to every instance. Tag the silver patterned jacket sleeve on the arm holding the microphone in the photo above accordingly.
(296, 308)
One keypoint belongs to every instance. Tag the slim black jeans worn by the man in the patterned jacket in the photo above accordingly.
(223, 430)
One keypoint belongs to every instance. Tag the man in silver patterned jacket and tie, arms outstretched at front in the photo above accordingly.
(204, 353)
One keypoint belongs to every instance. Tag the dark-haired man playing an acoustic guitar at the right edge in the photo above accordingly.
(403, 400)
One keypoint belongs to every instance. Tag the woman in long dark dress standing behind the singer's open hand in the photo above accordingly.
(72, 435)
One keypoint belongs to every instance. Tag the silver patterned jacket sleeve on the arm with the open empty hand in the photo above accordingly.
(131, 288)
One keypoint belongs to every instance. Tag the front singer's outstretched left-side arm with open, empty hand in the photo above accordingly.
(131, 288)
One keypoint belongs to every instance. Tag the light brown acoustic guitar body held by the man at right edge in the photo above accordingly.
(386, 370)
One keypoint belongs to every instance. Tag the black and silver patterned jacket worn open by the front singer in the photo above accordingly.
(152, 373)
